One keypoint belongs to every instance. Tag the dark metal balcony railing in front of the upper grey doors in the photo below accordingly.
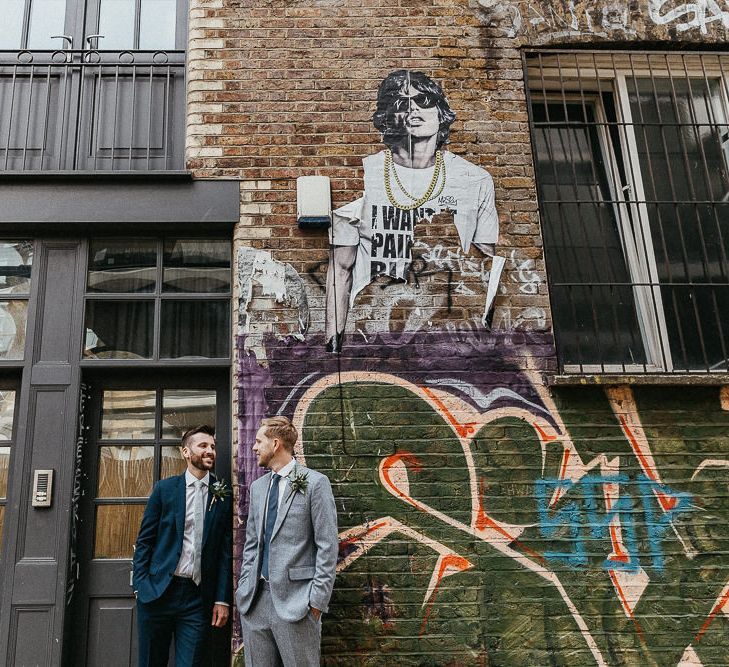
(92, 110)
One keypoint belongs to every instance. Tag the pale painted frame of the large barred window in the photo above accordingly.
(566, 84)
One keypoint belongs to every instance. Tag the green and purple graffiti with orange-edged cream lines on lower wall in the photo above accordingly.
(483, 520)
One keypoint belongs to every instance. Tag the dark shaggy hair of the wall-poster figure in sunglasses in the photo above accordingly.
(394, 86)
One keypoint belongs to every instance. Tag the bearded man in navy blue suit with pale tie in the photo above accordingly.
(183, 557)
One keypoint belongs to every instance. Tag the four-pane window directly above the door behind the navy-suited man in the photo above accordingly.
(154, 299)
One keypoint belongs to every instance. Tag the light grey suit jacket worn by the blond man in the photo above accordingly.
(304, 546)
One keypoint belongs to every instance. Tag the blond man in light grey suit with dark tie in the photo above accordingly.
(290, 555)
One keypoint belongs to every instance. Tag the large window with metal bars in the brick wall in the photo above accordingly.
(632, 164)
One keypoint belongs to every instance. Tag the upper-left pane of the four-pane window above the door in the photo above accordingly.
(122, 266)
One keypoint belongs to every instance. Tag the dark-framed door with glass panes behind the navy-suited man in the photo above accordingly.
(135, 430)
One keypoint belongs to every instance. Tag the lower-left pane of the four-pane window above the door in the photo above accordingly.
(119, 329)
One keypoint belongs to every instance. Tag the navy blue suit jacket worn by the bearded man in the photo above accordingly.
(159, 543)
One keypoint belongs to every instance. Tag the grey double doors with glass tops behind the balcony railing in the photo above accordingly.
(92, 85)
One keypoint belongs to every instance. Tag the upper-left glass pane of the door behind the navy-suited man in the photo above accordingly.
(128, 415)
